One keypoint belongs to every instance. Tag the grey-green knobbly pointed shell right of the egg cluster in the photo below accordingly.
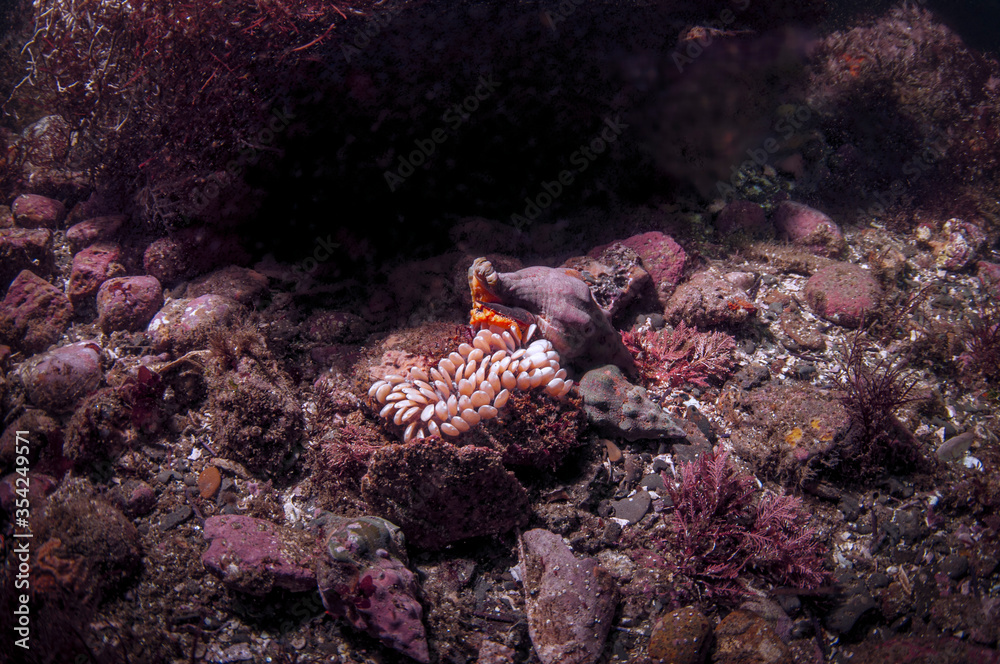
(620, 409)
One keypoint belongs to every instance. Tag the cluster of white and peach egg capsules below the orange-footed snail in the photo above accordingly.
(468, 386)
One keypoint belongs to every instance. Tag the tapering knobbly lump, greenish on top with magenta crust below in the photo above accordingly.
(363, 578)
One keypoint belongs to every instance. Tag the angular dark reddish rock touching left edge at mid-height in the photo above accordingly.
(33, 314)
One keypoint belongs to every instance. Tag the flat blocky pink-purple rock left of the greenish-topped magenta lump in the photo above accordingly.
(253, 556)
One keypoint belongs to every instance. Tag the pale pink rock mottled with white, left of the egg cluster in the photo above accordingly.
(184, 324)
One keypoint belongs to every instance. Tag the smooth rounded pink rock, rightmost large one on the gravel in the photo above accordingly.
(842, 292)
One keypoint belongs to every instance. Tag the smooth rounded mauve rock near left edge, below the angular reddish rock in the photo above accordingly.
(56, 380)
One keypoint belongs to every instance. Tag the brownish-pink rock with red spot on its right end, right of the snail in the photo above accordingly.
(707, 299)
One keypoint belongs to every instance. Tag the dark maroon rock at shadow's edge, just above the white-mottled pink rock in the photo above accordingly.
(190, 252)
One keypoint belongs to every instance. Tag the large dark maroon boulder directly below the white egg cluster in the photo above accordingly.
(439, 493)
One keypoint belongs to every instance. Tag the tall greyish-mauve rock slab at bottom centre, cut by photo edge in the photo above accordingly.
(570, 602)
